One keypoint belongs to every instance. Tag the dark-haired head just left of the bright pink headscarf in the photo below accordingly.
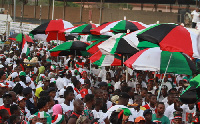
(42, 104)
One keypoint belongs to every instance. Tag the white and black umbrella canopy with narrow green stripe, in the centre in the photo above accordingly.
(118, 44)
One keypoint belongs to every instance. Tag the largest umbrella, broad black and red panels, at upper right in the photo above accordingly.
(173, 38)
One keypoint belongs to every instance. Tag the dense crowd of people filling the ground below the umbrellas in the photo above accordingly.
(71, 90)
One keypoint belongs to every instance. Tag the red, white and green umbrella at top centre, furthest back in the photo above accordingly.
(118, 26)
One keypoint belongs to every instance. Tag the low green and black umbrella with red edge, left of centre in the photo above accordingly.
(70, 48)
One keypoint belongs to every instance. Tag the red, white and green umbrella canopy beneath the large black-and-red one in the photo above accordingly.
(154, 59)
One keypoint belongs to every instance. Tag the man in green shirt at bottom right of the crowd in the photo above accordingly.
(159, 116)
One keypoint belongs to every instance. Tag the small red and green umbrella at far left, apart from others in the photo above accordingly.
(18, 37)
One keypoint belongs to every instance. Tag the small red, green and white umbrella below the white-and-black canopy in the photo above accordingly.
(105, 60)
